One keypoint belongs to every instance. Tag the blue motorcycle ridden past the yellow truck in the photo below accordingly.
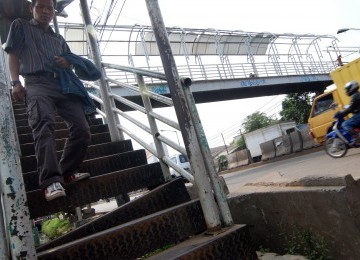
(338, 141)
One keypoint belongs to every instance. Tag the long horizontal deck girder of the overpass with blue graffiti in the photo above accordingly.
(222, 87)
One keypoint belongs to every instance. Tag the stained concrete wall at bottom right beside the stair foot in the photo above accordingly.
(331, 213)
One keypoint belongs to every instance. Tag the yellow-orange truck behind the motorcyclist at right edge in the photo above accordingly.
(327, 104)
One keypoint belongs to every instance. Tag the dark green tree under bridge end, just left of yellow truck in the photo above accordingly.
(296, 107)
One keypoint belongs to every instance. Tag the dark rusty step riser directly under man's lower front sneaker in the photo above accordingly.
(96, 188)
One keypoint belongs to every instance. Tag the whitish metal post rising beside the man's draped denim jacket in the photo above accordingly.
(109, 102)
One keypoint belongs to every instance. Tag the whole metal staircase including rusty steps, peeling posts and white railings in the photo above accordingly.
(164, 215)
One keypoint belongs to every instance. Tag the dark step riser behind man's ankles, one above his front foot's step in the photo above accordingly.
(28, 163)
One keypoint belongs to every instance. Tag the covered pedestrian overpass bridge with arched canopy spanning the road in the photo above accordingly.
(222, 64)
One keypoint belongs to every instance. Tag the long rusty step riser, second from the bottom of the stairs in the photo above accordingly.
(136, 238)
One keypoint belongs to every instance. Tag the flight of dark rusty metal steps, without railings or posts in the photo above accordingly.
(164, 215)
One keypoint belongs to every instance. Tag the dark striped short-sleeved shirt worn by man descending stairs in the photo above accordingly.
(34, 47)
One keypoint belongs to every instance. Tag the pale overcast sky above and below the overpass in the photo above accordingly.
(275, 16)
